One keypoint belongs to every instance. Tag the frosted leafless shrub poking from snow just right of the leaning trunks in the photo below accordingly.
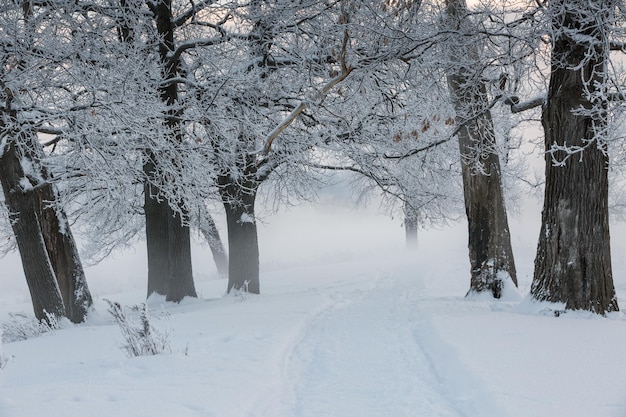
(142, 338)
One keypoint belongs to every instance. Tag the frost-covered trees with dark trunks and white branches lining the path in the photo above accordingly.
(123, 120)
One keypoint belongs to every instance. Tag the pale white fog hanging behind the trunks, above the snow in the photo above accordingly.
(335, 230)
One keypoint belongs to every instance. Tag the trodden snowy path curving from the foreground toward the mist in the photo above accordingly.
(364, 357)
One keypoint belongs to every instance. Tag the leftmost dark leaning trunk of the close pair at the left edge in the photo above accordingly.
(21, 203)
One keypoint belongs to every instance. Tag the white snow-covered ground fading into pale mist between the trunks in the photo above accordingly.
(348, 324)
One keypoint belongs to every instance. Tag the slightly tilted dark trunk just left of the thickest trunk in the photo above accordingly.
(490, 250)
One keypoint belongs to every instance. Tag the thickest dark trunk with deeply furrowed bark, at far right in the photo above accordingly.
(573, 263)
